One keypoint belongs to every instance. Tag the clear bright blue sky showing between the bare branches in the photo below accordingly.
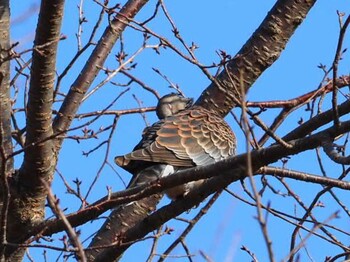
(220, 25)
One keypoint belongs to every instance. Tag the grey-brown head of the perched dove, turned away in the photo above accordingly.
(171, 104)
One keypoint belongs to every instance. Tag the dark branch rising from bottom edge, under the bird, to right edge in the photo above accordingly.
(229, 170)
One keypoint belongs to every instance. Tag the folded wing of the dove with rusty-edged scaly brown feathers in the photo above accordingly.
(191, 138)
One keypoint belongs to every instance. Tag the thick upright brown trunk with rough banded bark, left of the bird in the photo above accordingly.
(28, 197)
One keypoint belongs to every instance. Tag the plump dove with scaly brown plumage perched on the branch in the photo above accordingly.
(185, 136)
